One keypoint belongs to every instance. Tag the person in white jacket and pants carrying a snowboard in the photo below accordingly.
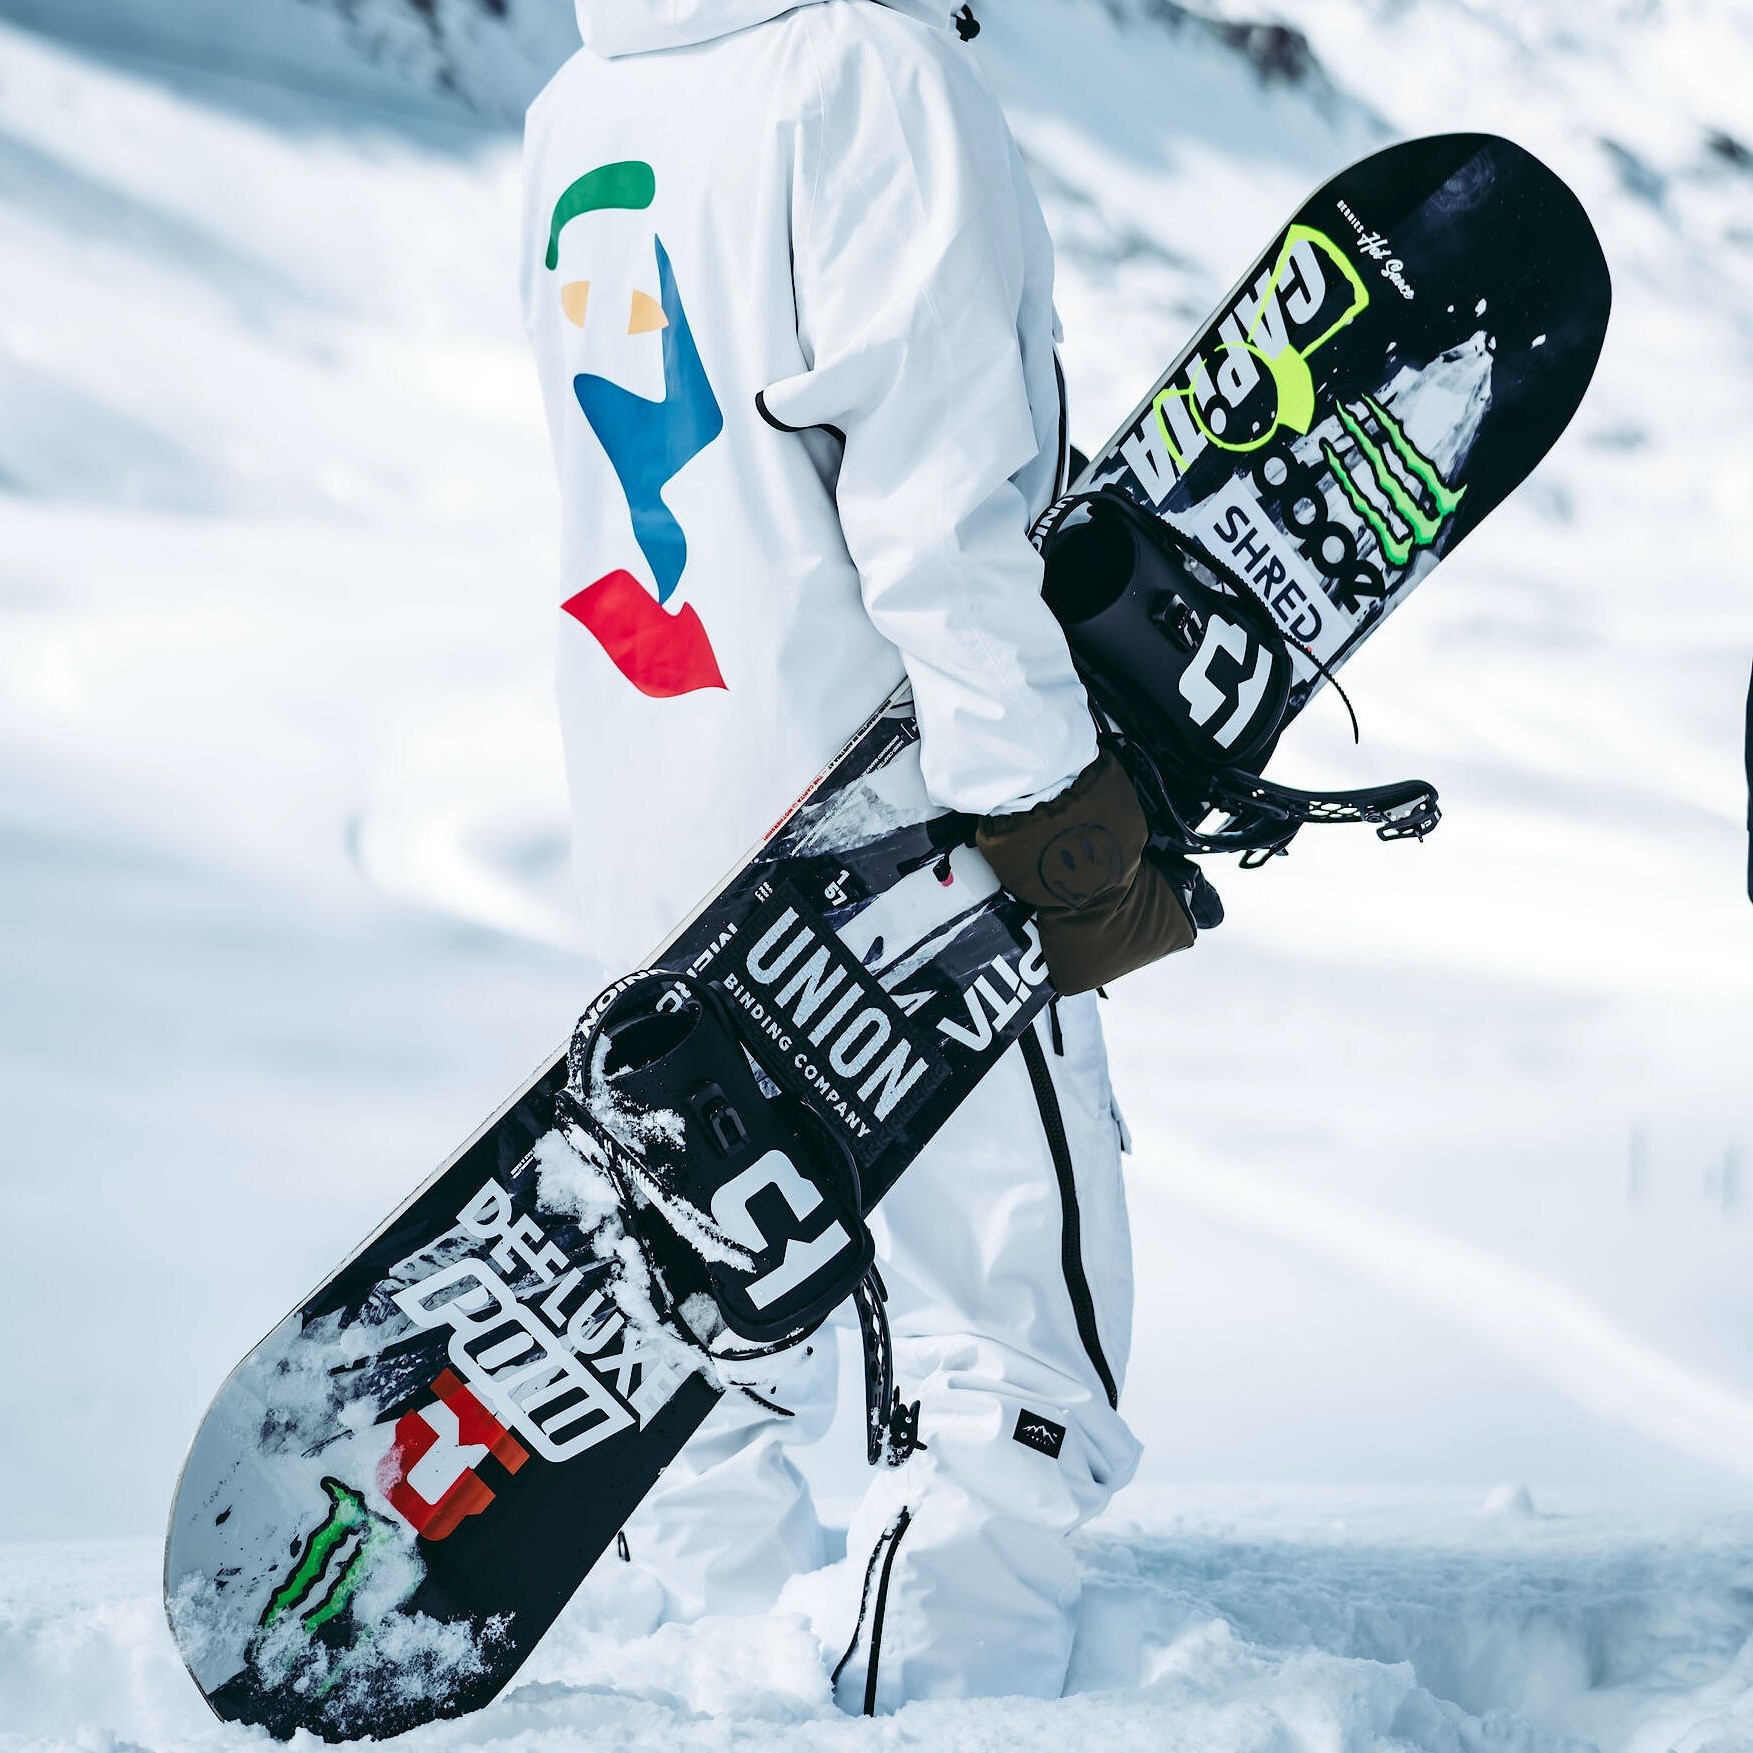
(791, 301)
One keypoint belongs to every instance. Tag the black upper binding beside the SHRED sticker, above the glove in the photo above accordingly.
(1193, 681)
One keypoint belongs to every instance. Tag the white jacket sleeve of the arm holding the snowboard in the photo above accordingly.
(911, 259)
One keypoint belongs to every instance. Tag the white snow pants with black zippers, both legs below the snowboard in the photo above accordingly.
(1009, 1267)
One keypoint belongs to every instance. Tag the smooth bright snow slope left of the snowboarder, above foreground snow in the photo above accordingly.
(278, 522)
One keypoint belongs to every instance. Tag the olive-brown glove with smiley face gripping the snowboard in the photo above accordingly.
(1102, 902)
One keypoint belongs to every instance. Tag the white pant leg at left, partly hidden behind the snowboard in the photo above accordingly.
(732, 1519)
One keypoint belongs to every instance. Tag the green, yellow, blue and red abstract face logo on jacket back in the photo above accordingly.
(660, 649)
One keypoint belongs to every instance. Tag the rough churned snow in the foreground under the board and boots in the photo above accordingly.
(1217, 1621)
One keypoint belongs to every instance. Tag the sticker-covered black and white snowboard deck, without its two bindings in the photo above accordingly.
(397, 1493)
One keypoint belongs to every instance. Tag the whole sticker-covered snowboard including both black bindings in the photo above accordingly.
(397, 1493)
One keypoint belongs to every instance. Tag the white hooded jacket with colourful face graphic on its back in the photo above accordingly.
(791, 302)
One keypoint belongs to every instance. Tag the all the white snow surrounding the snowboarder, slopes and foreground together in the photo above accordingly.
(1440, 1151)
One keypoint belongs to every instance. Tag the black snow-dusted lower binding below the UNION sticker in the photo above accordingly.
(748, 1184)
